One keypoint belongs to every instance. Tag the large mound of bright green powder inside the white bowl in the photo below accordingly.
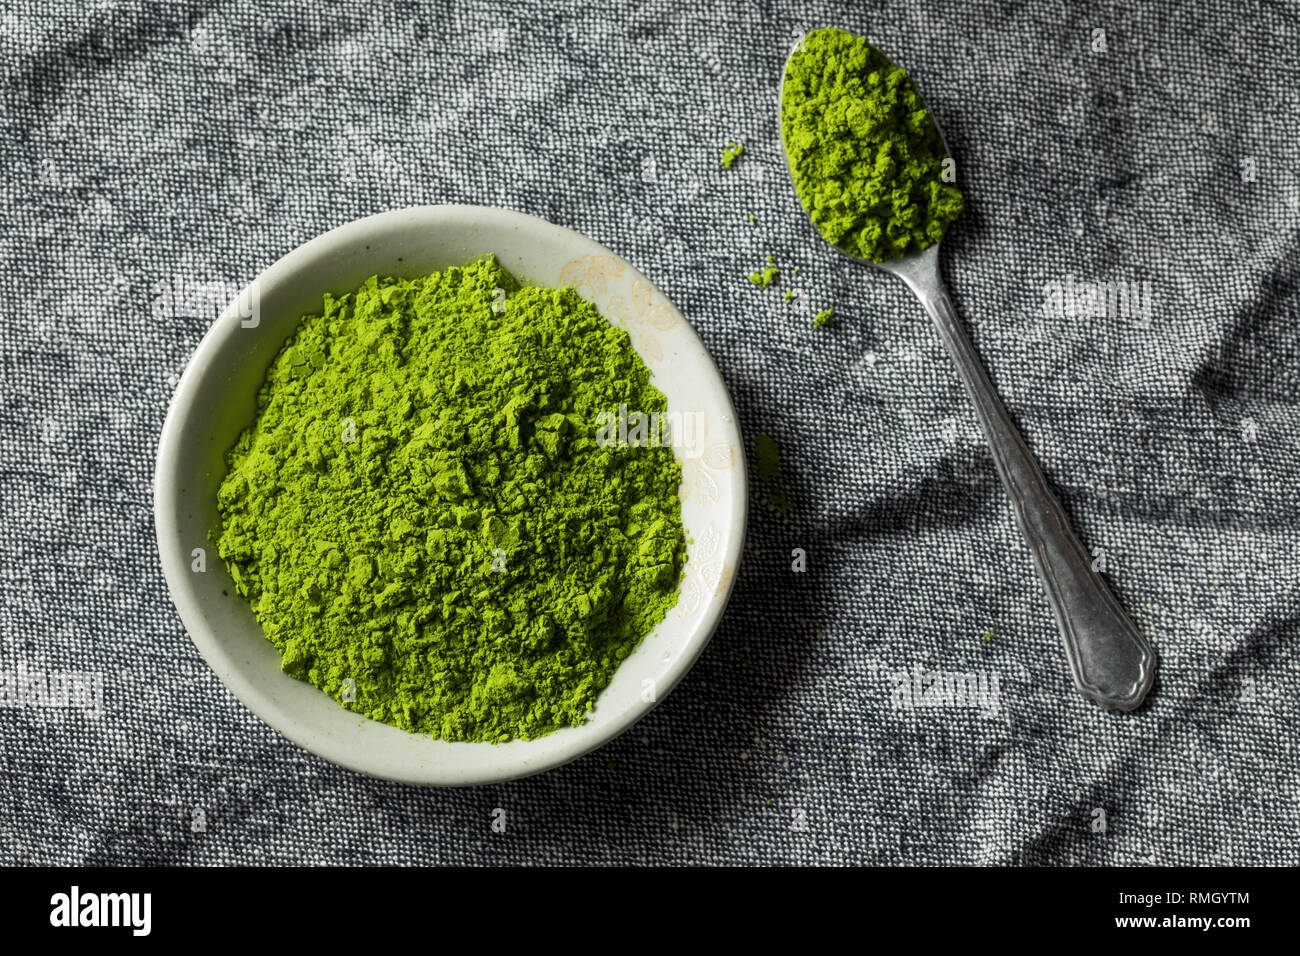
(424, 520)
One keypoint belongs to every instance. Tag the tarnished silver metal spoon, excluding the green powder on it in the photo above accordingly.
(1112, 663)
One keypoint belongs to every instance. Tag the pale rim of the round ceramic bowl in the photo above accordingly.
(281, 717)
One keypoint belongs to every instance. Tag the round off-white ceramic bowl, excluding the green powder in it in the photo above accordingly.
(215, 403)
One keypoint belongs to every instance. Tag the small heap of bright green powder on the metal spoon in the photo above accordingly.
(864, 150)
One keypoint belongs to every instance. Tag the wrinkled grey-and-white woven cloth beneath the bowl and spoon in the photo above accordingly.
(151, 150)
